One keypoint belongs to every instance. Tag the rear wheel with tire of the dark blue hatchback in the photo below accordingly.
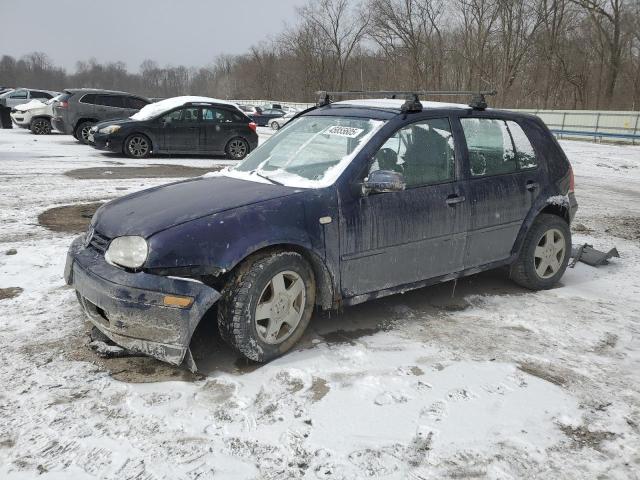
(540, 253)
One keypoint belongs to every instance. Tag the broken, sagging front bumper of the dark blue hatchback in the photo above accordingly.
(129, 307)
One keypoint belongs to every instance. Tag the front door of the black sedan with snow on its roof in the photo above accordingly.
(181, 130)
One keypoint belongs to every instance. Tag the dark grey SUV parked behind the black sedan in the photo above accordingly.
(77, 110)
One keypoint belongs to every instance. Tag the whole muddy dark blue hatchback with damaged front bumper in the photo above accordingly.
(347, 202)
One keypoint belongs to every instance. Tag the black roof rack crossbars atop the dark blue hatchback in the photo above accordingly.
(412, 103)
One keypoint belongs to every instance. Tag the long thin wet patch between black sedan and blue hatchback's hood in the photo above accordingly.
(152, 171)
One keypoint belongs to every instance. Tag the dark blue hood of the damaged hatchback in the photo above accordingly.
(150, 211)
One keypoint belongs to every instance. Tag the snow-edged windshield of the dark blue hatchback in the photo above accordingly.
(311, 152)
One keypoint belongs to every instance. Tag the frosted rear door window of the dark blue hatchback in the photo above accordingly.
(490, 147)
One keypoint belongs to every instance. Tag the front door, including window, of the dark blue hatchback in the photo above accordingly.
(396, 238)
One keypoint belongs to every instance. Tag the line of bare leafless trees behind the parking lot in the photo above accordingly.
(577, 54)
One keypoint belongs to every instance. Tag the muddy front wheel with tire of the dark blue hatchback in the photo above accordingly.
(247, 286)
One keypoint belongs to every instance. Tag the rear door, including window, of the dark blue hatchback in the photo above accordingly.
(503, 184)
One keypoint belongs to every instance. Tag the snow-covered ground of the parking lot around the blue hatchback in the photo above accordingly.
(488, 382)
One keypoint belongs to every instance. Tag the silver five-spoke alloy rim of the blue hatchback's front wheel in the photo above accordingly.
(280, 307)
